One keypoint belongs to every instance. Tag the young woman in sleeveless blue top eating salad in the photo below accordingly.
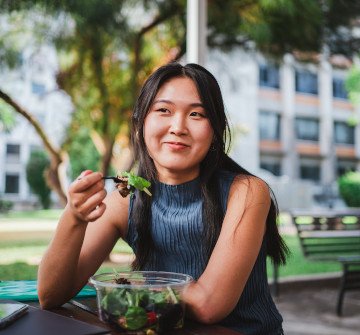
(208, 217)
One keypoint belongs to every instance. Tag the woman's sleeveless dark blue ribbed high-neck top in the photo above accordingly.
(176, 214)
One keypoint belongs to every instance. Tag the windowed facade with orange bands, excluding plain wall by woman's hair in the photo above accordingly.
(304, 115)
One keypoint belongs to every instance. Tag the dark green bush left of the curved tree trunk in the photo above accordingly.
(35, 174)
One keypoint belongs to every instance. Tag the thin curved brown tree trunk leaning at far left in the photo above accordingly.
(56, 160)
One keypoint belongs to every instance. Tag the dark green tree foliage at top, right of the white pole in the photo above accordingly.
(280, 26)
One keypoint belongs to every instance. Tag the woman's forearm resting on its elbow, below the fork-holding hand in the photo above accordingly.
(57, 276)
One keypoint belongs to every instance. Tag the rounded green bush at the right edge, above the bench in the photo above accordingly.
(349, 188)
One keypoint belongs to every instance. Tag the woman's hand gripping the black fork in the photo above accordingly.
(86, 195)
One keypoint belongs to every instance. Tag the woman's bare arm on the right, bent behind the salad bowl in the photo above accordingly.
(219, 288)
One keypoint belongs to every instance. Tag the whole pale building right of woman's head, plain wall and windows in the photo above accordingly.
(297, 118)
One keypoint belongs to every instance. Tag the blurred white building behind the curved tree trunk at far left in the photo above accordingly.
(33, 87)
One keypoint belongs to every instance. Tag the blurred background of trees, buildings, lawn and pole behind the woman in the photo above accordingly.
(70, 72)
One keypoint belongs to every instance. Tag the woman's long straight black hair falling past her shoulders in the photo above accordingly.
(215, 160)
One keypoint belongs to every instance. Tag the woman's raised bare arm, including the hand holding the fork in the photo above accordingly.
(85, 235)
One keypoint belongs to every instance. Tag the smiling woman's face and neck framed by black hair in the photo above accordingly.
(177, 131)
